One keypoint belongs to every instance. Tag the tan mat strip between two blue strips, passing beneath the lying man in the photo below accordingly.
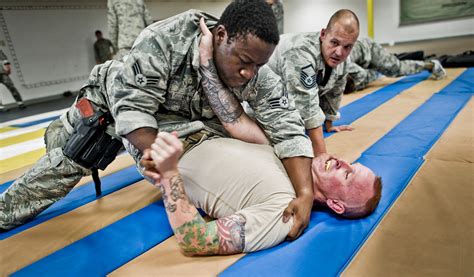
(165, 257)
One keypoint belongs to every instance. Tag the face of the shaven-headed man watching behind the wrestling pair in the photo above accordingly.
(336, 44)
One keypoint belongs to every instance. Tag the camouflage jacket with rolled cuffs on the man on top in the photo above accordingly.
(161, 78)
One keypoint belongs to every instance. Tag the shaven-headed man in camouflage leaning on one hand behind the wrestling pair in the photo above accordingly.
(313, 67)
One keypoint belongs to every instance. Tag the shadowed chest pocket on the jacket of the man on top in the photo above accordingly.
(181, 90)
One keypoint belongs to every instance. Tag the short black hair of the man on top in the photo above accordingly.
(243, 17)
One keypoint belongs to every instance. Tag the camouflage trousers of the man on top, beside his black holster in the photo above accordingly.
(54, 175)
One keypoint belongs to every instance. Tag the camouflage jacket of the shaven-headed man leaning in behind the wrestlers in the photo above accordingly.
(299, 62)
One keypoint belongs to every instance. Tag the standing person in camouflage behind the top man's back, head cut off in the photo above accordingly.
(126, 19)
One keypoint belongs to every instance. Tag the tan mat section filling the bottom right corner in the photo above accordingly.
(429, 230)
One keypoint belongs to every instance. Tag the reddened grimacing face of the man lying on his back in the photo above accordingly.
(338, 179)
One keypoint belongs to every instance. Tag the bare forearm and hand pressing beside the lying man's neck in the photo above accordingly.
(299, 171)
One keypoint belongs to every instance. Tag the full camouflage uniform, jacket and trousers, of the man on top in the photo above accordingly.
(139, 96)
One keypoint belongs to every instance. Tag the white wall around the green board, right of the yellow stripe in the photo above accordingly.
(387, 29)
